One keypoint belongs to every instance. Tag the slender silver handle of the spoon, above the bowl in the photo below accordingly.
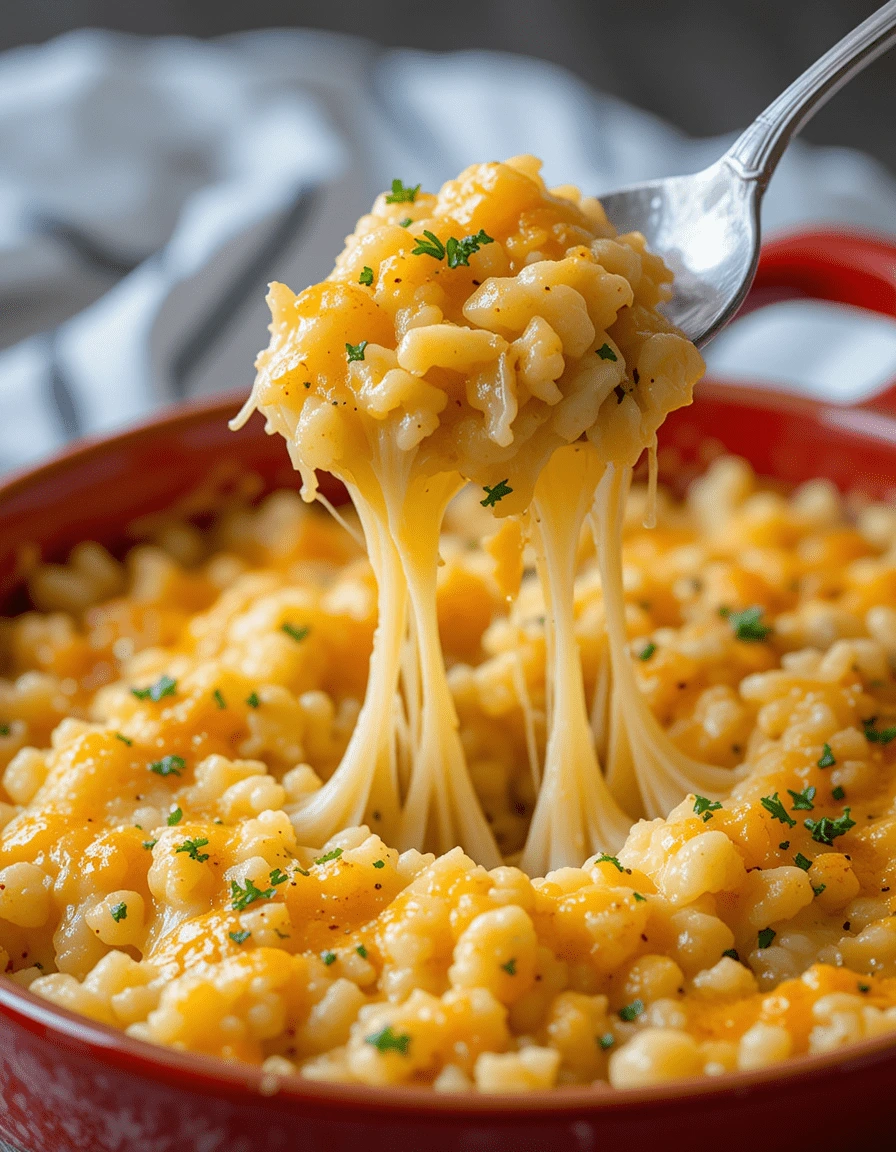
(756, 153)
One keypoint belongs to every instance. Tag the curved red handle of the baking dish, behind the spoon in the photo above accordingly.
(846, 267)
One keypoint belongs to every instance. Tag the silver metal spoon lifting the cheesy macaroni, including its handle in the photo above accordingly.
(707, 226)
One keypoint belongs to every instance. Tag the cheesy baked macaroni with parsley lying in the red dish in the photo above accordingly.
(165, 717)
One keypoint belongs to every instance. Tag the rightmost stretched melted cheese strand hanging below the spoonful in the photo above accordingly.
(664, 774)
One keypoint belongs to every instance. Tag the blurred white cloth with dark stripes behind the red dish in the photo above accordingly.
(149, 190)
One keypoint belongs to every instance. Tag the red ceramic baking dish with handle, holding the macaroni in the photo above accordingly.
(70, 1086)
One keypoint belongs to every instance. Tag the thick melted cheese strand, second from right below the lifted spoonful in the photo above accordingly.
(575, 815)
